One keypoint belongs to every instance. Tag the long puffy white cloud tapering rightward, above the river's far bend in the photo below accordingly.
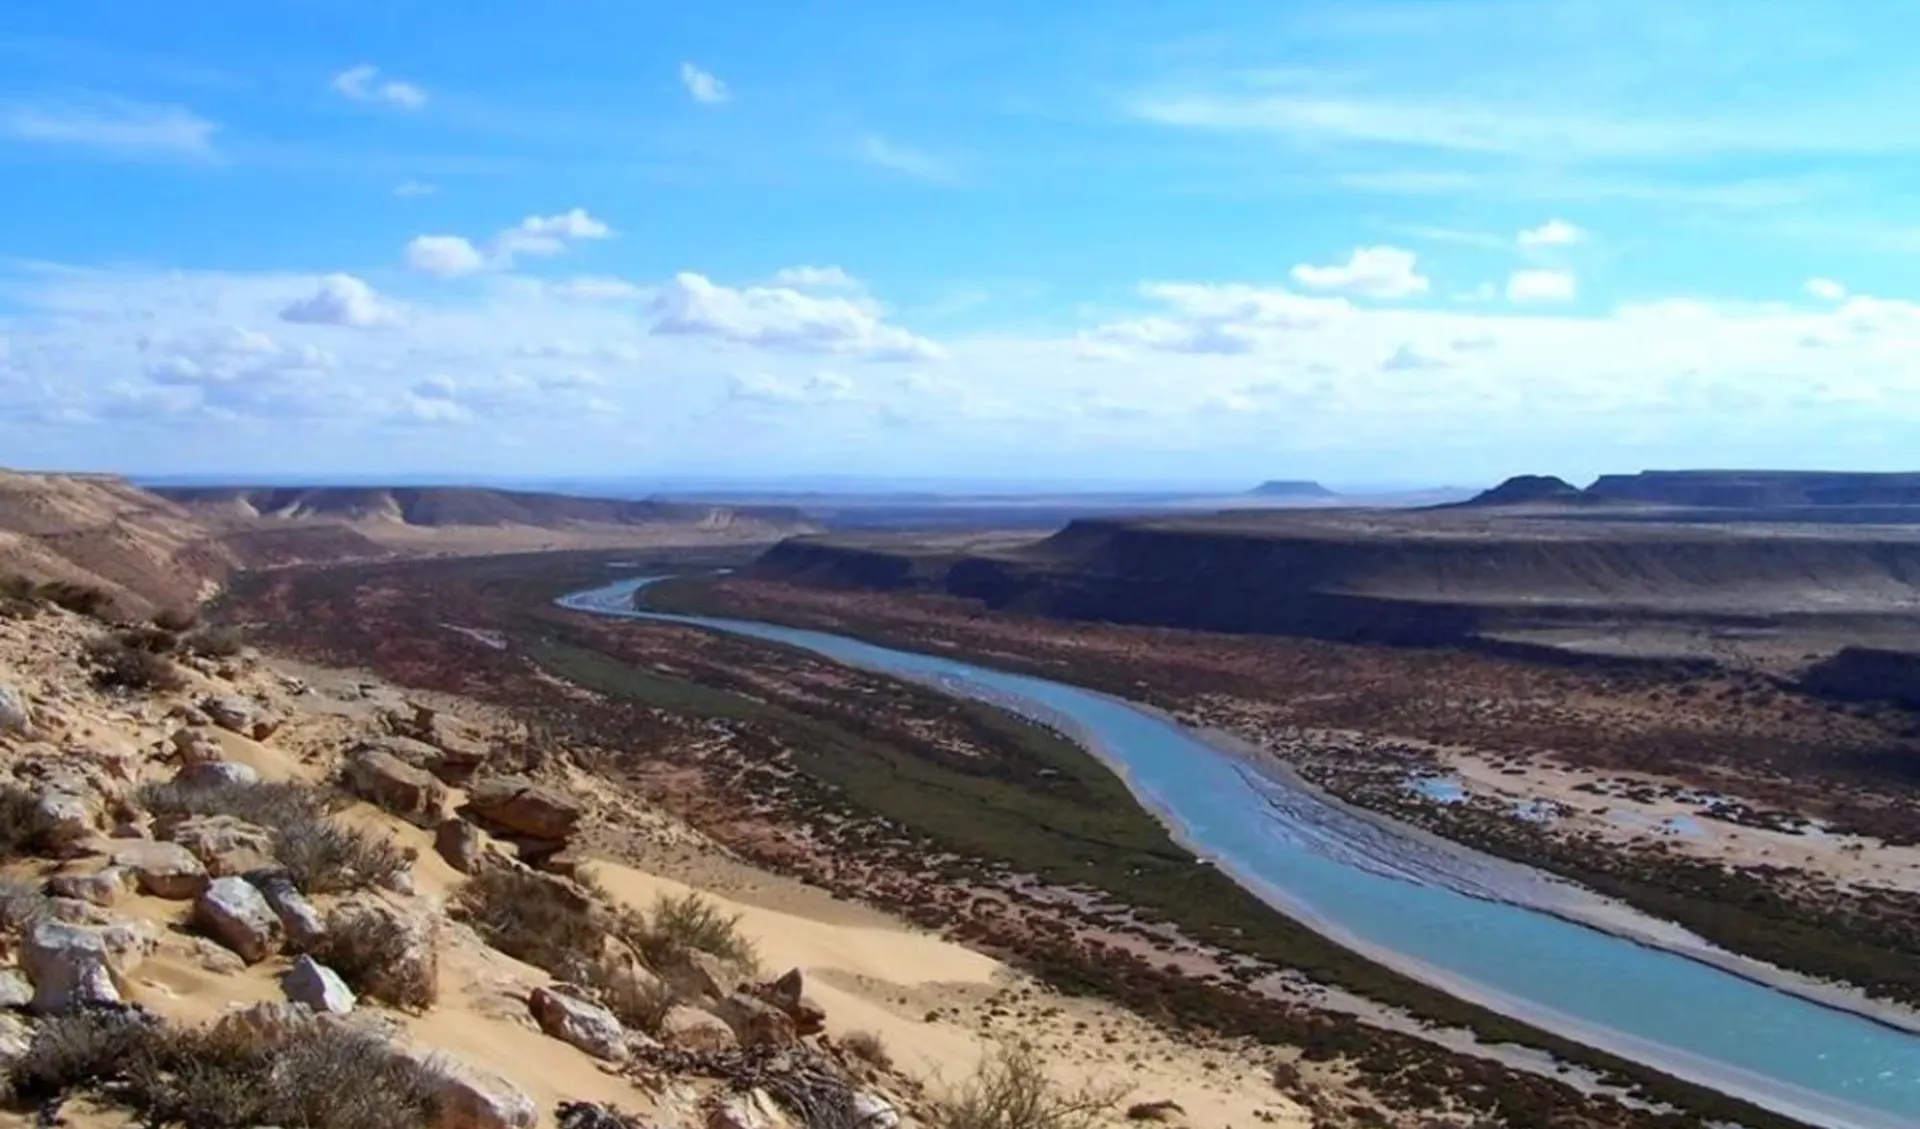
(784, 320)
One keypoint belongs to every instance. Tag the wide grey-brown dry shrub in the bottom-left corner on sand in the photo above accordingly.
(316, 1076)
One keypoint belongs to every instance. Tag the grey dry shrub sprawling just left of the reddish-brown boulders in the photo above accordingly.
(320, 853)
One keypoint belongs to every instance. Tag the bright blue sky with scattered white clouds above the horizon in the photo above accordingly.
(1113, 241)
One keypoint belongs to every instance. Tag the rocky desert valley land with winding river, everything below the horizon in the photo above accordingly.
(606, 813)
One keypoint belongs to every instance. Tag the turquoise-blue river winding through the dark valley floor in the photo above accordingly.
(1683, 1017)
